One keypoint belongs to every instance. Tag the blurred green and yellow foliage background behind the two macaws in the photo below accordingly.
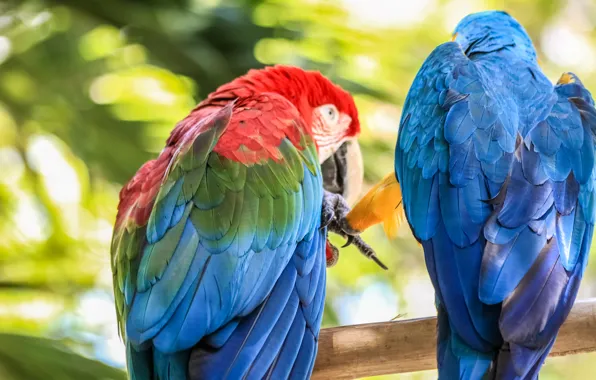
(90, 89)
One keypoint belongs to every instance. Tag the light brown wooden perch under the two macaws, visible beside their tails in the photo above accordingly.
(351, 352)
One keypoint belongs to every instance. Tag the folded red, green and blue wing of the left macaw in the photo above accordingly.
(205, 243)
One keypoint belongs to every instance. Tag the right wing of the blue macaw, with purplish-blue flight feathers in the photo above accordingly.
(540, 233)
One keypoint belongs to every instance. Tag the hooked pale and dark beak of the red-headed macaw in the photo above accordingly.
(343, 172)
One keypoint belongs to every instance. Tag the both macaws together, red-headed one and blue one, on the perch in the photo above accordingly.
(220, 246)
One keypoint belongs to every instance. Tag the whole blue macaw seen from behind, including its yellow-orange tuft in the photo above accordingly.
(496, 169)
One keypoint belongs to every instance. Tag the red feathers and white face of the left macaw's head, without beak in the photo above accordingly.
(327, 110)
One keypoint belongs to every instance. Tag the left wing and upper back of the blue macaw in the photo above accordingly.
(455, 146)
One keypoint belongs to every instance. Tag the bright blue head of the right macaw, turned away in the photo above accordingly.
(490, 31)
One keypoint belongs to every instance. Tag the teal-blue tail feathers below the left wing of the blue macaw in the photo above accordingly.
(455, 359)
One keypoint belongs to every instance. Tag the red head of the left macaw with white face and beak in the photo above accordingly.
(327, 109)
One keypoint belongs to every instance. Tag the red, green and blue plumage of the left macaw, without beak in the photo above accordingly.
(218, 252)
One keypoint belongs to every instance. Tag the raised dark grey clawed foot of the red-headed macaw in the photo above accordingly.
(333, 216)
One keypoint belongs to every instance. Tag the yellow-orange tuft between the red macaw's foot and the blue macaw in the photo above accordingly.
(382, 204)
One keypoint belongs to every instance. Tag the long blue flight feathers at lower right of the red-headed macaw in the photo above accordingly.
(265, 340)
